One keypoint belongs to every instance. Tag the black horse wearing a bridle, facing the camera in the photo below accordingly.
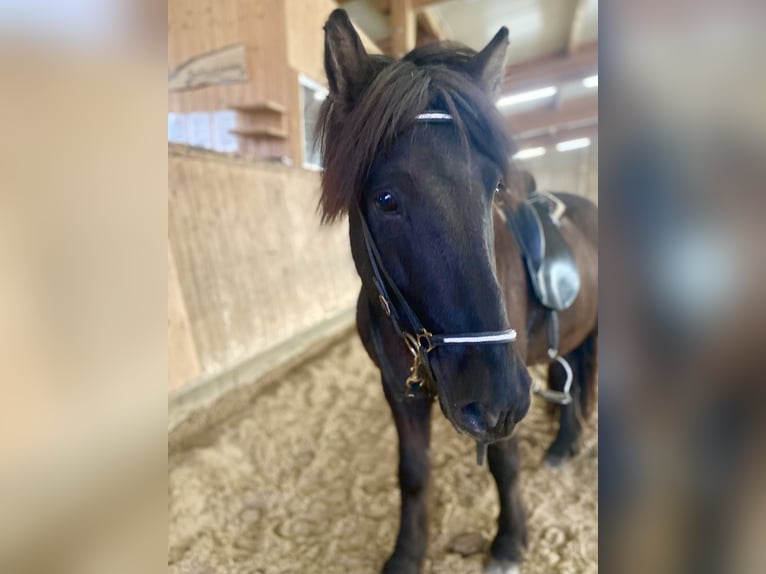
(417, 155)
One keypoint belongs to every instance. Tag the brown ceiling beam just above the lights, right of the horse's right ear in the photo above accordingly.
(551, 71)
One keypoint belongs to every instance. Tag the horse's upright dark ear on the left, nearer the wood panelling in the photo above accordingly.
(345, 60)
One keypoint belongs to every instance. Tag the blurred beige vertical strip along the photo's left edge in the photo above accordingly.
(83, 173)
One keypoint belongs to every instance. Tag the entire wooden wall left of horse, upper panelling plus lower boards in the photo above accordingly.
(248, 264)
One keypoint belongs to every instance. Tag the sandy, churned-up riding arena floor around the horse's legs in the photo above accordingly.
(303, 481)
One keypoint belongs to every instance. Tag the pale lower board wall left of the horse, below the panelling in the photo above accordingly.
(253, 265)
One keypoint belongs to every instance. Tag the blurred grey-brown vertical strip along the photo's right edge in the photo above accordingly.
(683, 310)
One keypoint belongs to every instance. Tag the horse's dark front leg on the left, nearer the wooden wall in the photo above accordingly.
(412, 420)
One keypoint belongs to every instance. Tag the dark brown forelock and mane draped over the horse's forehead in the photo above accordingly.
(433, 77)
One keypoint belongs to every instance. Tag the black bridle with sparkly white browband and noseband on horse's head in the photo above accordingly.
(419, 341)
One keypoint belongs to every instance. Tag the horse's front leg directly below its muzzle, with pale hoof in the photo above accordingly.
(507, 548)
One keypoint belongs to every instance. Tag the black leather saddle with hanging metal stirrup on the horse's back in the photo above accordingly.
(550, 265)
